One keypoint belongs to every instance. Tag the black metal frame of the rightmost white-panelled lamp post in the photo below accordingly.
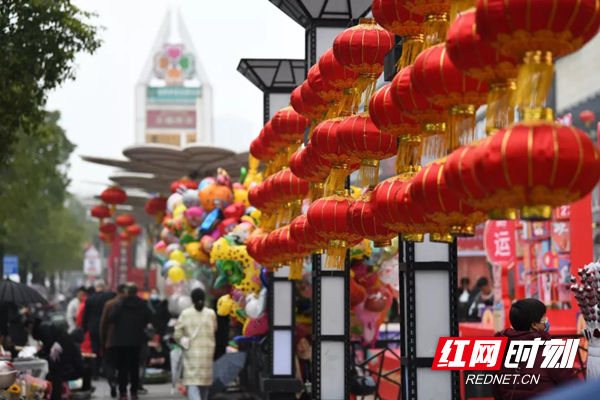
(408, 324)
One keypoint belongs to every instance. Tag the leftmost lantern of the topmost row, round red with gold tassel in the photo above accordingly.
(362, 49)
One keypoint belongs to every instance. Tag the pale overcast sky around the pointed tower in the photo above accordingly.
(98, 107)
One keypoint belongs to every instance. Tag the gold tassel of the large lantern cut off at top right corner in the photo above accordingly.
(534, 80)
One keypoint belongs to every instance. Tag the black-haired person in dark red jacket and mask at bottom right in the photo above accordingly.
(529, 322)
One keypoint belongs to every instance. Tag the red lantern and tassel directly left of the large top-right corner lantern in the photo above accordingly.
(478, 59)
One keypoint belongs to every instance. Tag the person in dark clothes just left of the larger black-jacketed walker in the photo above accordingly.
(91, 320)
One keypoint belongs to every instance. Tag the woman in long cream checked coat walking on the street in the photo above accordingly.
(195, 332)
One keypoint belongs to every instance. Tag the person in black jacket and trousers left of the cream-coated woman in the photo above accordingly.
(130, 316)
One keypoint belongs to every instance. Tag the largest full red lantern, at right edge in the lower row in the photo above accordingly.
(537, 165)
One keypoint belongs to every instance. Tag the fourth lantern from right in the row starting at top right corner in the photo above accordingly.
(432, 118)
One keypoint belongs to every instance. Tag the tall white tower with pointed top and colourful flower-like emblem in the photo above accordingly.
(173, 95)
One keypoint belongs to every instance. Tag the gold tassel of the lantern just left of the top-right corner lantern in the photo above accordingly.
(500, 109)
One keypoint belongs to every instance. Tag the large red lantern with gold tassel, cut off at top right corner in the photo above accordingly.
(535, 33)
